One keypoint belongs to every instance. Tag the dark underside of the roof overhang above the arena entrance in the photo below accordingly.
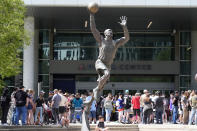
(73, 18)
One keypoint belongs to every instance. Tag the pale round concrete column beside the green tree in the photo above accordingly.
(30, 56)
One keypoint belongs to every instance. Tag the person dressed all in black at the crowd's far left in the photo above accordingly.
(5, 104)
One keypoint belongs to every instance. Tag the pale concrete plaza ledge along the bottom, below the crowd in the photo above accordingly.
(112, 127)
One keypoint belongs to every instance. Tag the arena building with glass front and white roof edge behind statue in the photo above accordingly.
(160, 55)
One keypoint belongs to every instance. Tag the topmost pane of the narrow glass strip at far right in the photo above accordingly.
(185, 38)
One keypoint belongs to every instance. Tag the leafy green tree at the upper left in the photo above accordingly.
(12, 37)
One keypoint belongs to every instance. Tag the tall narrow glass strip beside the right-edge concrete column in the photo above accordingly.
(185, 60)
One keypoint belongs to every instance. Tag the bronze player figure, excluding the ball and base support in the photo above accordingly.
(107, 51)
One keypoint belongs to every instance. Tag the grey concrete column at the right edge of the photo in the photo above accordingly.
(193, 59)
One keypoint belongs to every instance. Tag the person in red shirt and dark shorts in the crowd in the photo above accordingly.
(136, 108)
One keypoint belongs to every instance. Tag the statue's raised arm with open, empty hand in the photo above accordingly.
(124, 39)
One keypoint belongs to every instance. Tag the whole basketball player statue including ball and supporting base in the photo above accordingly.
(107, 52)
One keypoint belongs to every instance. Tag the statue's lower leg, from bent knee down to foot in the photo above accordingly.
(101, 83)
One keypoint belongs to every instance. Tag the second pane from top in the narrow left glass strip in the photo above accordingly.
(44, 51)
